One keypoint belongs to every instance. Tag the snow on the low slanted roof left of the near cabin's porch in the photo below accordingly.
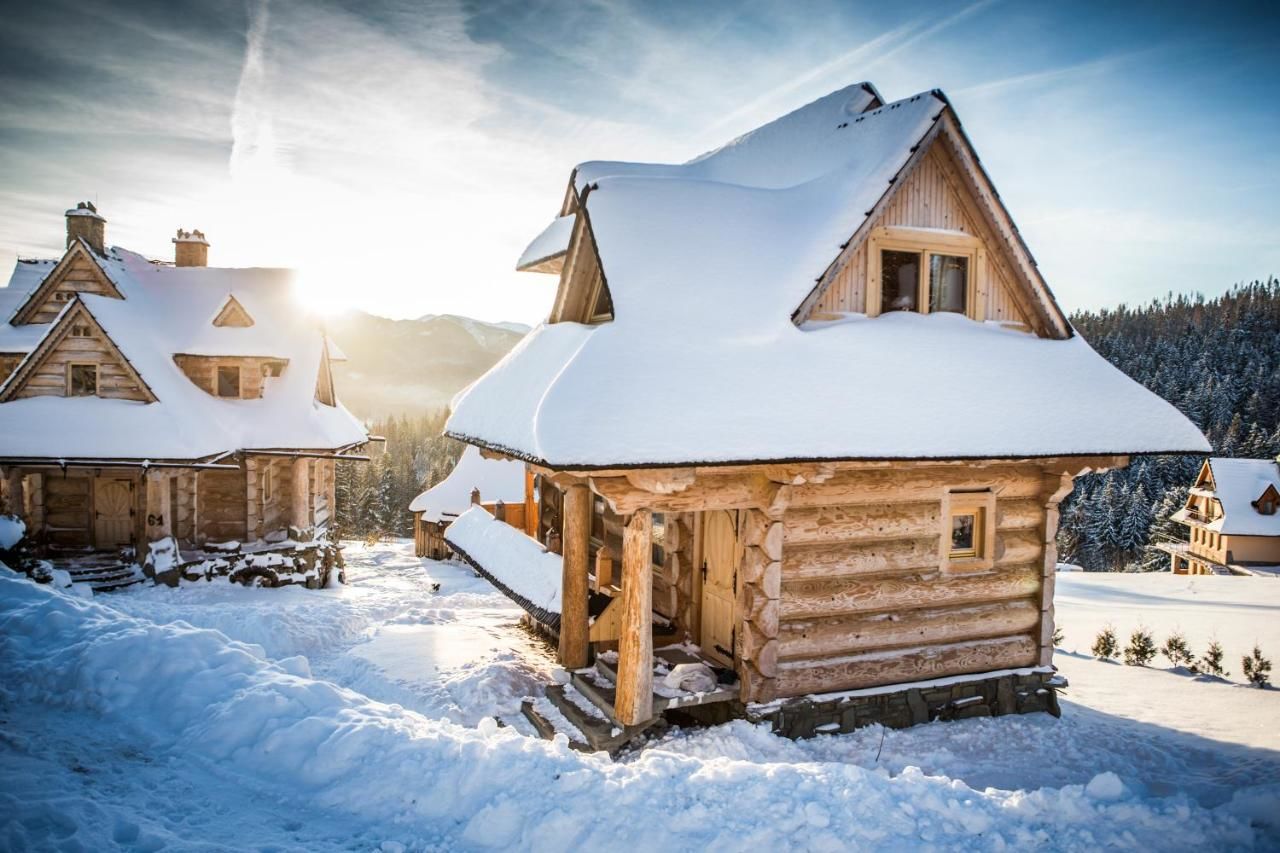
(510, 558)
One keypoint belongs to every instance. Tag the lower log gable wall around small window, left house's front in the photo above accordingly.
(76, 340)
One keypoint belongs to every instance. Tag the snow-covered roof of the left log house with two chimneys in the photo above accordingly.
(166, 312)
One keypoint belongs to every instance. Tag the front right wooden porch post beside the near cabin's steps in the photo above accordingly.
(634, 704)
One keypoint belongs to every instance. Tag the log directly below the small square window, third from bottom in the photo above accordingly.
(819, 599)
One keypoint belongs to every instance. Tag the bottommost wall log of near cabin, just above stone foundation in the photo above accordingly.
(876, 669)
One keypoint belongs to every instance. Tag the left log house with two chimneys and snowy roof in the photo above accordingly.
(144, 400)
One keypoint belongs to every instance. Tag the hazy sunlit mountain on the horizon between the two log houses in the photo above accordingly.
(413, 367)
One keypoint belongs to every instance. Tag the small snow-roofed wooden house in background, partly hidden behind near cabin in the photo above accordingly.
(499, 486)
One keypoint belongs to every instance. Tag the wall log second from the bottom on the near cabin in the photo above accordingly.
(819, 638)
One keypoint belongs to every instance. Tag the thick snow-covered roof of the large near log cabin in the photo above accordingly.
(706, 264)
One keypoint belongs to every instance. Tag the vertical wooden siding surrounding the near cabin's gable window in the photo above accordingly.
(929, 199)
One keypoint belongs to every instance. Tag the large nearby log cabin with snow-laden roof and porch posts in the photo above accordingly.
(812, 395)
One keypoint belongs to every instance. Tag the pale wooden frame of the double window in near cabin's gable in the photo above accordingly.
(926, 243)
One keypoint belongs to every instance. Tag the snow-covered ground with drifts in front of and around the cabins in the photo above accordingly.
(358, 718)
